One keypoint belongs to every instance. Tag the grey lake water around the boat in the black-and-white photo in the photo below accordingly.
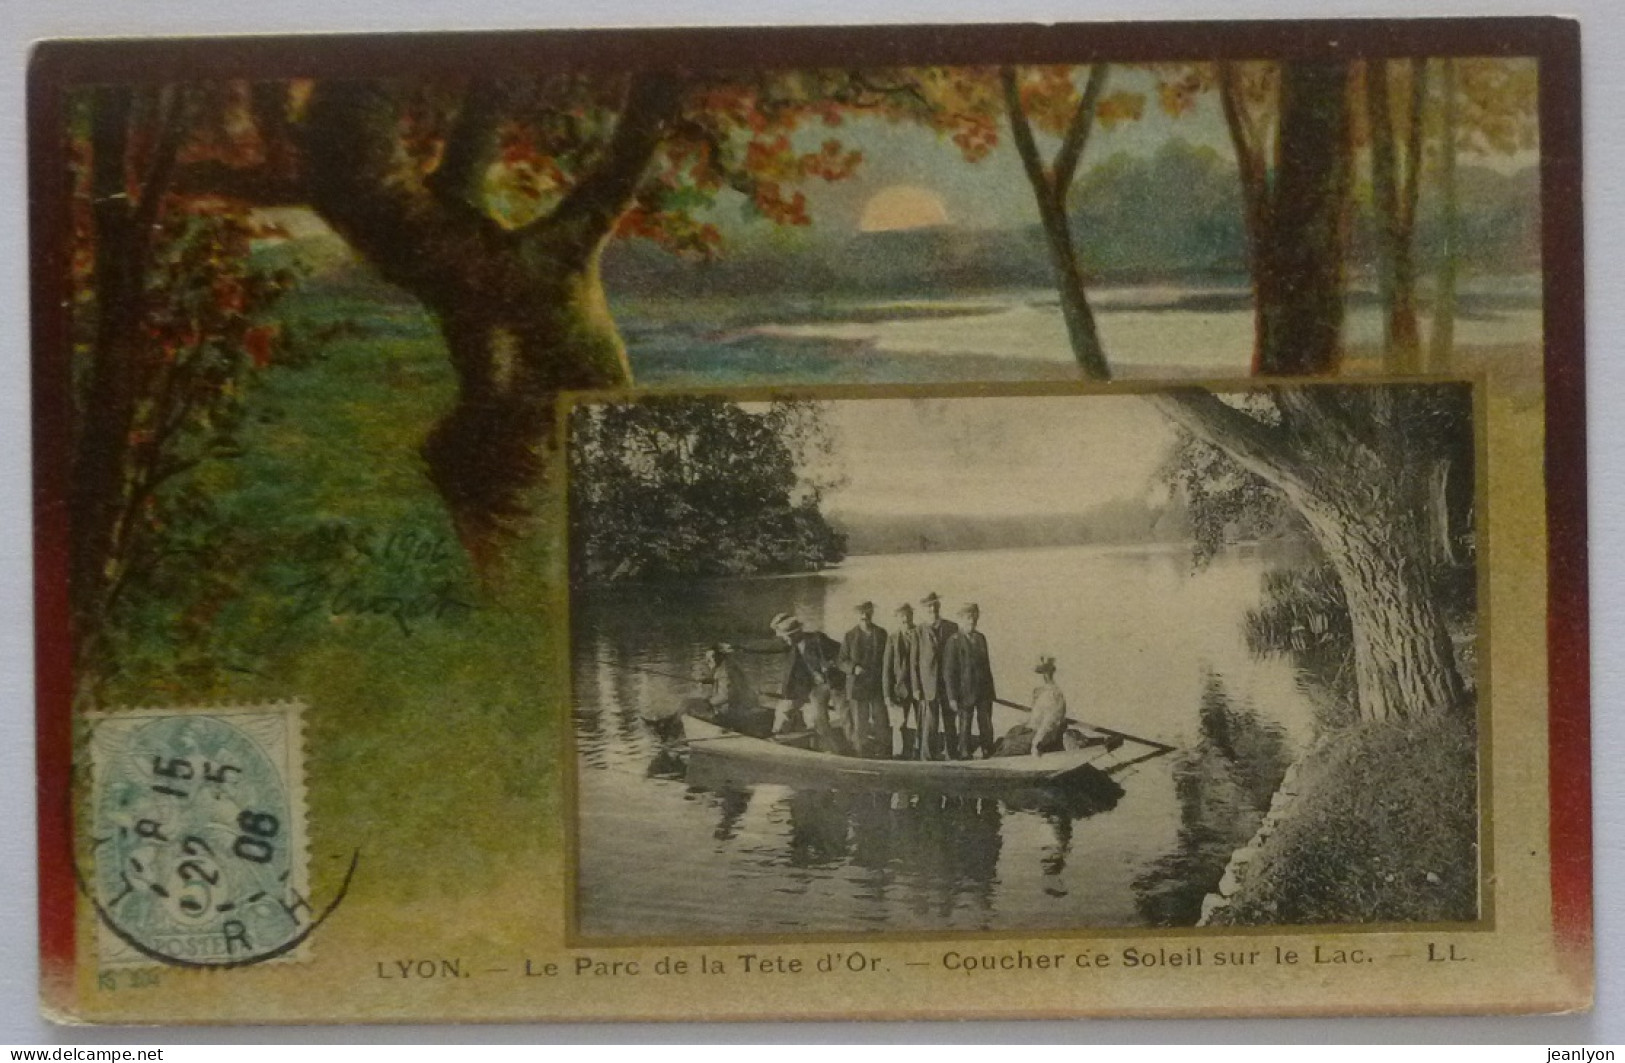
(1140, 641)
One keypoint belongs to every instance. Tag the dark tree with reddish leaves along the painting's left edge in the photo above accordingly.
(170, 329)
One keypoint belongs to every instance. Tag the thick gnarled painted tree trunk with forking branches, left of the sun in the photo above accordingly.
(522, 311)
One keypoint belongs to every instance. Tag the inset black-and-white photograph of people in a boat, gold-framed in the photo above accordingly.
(1047, 661)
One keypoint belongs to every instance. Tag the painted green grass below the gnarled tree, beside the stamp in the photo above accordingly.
(435, 711)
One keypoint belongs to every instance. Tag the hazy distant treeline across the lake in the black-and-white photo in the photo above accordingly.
(1120, 521)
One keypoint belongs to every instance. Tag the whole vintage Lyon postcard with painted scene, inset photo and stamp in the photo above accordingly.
(784, 524)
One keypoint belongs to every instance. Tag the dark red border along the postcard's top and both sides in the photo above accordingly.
(59, 67)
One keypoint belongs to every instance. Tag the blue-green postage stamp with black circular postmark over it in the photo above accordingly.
(199, 851)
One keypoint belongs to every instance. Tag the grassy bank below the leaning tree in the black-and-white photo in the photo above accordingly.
(1384, 830)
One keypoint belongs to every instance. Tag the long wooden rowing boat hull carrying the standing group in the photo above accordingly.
(719, 753)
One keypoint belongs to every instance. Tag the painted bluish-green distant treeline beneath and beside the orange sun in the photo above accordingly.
(1169, 217)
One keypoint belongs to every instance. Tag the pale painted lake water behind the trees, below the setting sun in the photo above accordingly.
(1146, 331)
